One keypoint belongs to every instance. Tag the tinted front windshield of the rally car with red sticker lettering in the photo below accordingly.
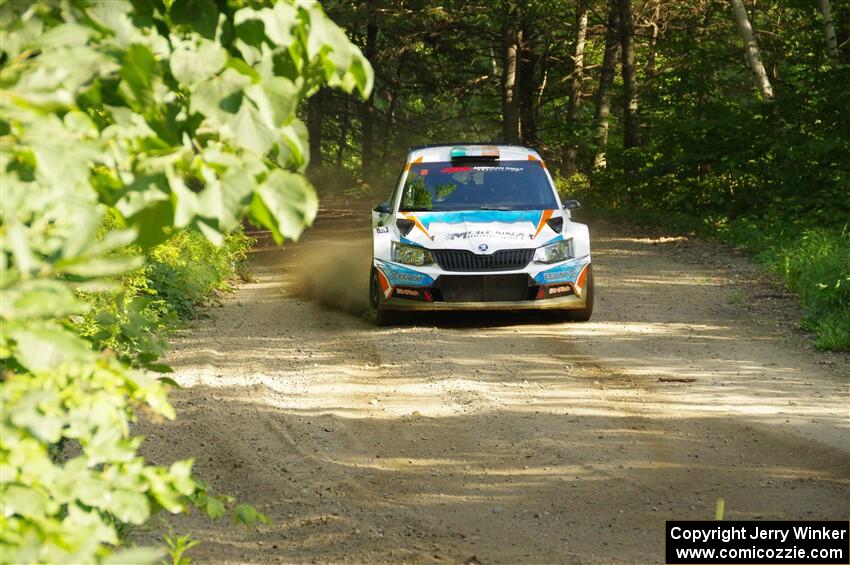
(501, 185)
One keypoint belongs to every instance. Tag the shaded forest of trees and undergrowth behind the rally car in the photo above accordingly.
(648, 107)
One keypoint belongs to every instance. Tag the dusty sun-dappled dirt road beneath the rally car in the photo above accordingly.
(503, 439)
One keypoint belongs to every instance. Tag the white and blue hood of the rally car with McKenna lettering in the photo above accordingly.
(482, 231)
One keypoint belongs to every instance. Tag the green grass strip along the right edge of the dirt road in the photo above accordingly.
(811, 256)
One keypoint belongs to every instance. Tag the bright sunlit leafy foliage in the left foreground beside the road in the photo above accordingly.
(123, 124)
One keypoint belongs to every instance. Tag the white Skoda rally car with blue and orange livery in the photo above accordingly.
(478, 227)
